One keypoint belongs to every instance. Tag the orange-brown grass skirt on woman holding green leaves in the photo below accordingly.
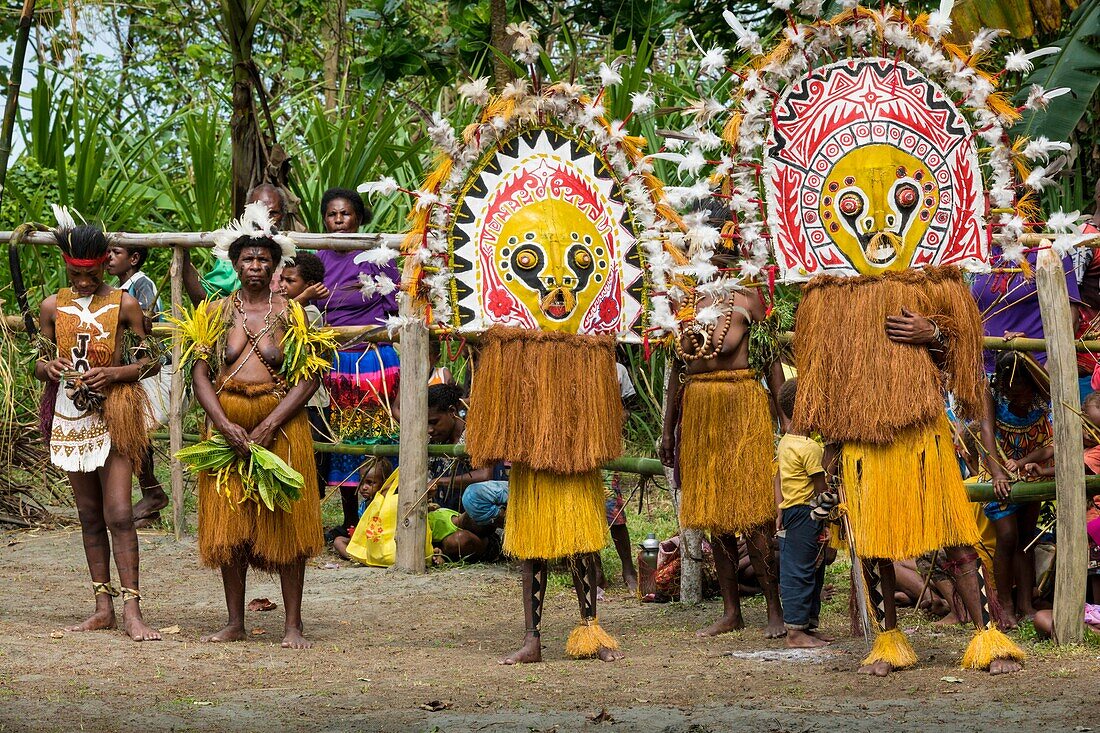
(269, 540)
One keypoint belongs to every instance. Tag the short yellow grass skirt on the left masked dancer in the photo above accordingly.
(553, 516)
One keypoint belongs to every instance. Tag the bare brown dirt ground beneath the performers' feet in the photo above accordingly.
(390, 649)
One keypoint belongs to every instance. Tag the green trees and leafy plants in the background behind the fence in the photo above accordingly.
(127, 119)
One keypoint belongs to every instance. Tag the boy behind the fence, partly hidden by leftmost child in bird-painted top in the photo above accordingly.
(126, 265)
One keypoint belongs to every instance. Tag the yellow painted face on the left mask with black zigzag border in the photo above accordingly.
(553, 258)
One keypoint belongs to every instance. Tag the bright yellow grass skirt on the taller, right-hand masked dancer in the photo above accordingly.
(907, 498)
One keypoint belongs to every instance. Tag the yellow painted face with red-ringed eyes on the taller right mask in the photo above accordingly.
(877, 204)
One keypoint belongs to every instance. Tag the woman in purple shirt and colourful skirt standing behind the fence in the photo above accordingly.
(362, 385)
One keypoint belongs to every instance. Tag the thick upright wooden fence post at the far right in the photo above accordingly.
(1071, 574)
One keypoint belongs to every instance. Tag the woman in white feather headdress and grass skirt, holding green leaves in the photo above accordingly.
(256, 364)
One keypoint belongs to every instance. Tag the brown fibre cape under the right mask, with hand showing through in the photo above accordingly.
(855, 384)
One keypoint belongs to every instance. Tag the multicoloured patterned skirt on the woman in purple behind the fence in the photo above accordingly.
(362, 390)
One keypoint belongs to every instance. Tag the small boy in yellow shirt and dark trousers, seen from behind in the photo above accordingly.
(801, 566)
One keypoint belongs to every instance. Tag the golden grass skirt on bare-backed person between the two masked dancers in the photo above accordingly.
(727, 448)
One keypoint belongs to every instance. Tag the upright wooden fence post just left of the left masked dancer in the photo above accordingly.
(413, 482)
